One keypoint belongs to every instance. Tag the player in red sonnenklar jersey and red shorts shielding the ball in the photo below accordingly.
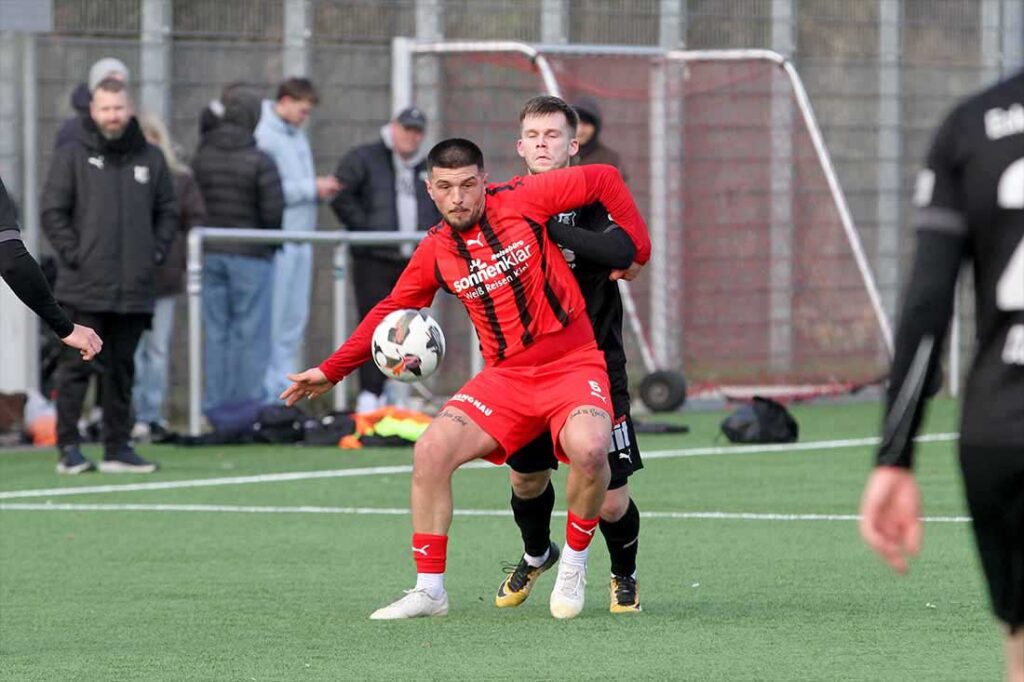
(544, 372)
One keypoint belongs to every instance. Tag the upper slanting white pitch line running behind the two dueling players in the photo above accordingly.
(405, 468)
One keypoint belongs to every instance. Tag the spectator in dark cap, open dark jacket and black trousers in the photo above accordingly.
(383, 190)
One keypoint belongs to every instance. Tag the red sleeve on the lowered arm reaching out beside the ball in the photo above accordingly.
(415, 289)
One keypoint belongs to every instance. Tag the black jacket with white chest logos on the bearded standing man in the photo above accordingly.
(109, 210)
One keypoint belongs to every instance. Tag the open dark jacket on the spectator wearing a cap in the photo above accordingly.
(368, 200)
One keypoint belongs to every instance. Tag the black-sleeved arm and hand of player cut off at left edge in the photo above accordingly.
(24, 276)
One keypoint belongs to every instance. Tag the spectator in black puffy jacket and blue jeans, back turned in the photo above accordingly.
(241, 188)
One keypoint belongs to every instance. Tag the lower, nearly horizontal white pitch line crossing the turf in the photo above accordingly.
(357, 511)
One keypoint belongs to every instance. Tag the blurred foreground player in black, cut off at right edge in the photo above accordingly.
(970, 200)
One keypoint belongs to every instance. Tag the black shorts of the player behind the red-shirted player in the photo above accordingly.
(624, 458)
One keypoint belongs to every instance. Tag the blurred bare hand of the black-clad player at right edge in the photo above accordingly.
(890, 516)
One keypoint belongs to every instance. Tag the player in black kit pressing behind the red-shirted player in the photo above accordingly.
(599, 251)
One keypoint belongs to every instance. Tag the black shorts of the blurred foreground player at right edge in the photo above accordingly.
(994, 480)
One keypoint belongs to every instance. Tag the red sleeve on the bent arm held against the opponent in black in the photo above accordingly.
(567, 189)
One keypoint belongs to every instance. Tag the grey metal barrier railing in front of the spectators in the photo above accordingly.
(342, 241)
